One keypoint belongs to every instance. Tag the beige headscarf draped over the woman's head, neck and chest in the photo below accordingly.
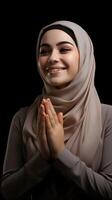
(78, 101)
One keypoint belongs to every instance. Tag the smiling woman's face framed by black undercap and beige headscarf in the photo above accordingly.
(58, 59)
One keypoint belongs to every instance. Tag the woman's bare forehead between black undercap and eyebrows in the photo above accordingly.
(54, 36)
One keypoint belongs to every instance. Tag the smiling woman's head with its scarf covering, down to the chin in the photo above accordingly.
(64, 50)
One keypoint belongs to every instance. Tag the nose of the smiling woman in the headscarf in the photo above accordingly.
(54, 56)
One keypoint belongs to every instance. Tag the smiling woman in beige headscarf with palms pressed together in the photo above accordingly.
(60, 147)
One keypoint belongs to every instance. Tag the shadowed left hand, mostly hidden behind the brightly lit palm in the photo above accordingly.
(41, 137)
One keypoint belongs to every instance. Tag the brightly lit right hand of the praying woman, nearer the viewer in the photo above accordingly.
(54, 128)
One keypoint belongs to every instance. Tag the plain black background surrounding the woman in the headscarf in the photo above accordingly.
(19, 27)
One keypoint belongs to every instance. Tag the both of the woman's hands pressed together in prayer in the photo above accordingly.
(52, 138)
